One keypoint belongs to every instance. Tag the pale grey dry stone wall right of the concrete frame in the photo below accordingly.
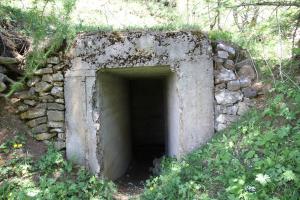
(235, 87)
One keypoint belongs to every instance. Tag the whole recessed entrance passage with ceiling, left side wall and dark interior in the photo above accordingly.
(134, 117)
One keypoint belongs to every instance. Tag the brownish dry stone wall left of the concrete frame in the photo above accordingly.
(41, 106)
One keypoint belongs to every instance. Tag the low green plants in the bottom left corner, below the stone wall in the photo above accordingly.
(51, 177)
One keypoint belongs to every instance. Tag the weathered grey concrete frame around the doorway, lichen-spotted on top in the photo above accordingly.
(187, 55)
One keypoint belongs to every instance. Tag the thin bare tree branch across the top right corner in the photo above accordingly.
(270, 3)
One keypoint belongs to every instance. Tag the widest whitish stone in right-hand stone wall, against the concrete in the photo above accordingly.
(225, 97)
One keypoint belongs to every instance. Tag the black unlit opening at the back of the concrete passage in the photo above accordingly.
(147, 129)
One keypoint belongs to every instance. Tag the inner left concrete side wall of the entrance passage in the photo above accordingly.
(114, 104)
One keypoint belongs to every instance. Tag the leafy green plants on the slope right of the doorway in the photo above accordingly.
(257, 158)
